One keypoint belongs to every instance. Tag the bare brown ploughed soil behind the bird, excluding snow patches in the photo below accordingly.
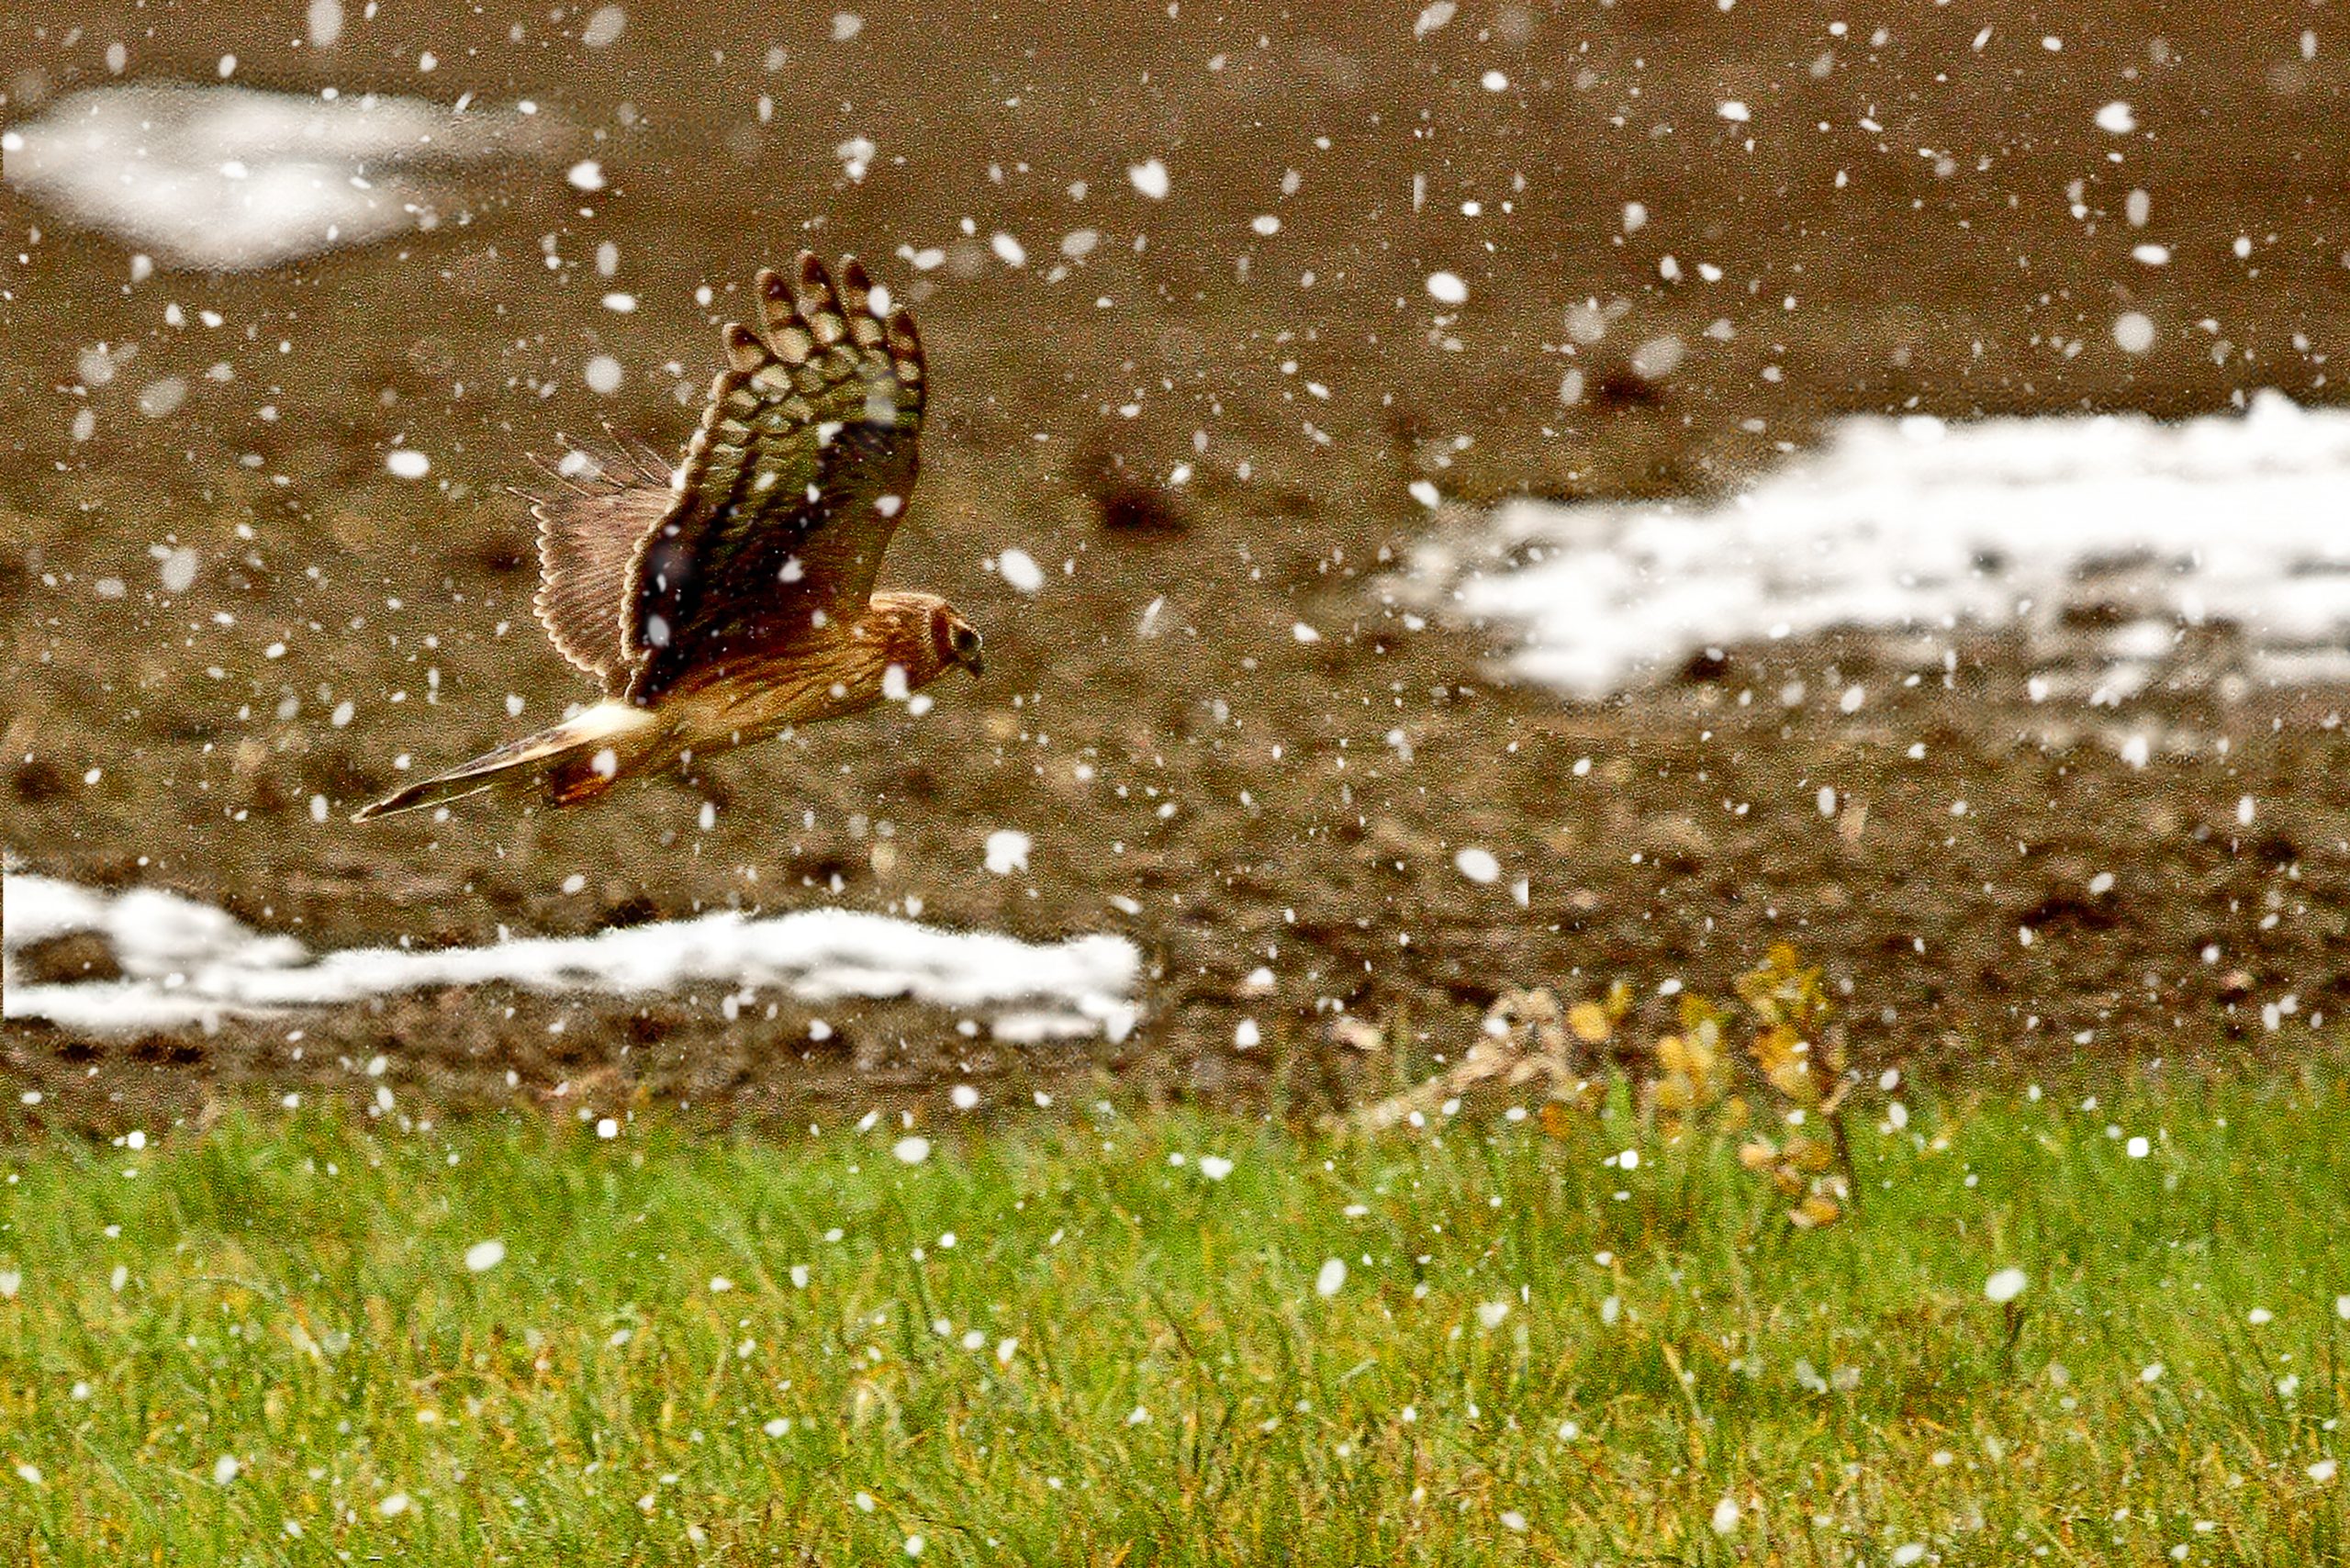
(1935, 262)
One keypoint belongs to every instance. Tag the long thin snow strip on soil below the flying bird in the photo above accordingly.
(192, 965)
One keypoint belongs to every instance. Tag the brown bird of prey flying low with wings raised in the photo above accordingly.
(734, 598)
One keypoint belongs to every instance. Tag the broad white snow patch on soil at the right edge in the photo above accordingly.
(2102, 540)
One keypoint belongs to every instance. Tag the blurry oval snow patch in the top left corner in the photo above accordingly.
(239, 180)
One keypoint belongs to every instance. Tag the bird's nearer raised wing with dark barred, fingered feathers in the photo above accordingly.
(793, 485)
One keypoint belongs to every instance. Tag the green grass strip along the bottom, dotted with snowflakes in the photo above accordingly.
(1533, 1355)
